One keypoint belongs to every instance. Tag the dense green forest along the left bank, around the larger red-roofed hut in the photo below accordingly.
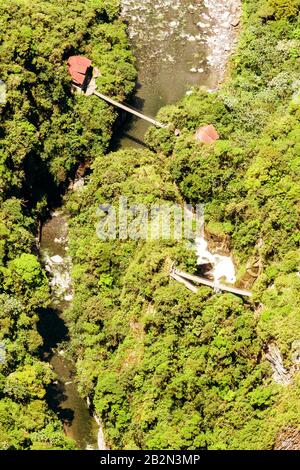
(45, 132)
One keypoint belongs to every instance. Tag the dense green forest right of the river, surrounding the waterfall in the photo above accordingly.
(166, 368)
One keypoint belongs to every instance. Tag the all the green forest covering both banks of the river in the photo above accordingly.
(164, 368)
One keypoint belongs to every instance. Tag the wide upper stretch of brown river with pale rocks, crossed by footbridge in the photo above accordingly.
(178, 44)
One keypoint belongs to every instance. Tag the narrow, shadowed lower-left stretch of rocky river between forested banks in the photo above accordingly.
(63, 396)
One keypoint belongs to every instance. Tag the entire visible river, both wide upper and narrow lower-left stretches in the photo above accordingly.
(178, 44)
